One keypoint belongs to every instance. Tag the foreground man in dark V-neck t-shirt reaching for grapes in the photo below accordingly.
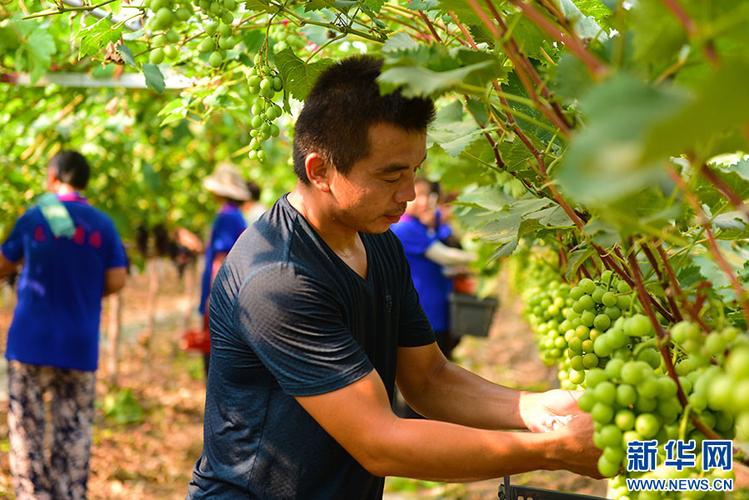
(314, 318)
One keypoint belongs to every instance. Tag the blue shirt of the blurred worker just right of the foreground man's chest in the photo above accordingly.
(429, 279)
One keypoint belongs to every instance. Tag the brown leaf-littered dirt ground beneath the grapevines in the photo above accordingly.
(153, 458)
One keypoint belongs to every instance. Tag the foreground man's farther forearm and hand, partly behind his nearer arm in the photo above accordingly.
(441, 390)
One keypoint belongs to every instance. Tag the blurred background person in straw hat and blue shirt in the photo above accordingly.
(227, 184)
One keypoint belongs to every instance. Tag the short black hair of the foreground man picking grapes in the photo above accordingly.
(343, 104)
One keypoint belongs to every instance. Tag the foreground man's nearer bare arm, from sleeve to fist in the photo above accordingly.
(359, 417)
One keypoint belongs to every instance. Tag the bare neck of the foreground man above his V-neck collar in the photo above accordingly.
(338, 237)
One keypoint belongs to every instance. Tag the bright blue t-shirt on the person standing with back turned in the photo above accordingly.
(56, 321)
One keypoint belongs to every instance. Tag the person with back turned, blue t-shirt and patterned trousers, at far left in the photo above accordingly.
(71, 257)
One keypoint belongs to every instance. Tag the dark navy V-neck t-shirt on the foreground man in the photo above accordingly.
(290, 318)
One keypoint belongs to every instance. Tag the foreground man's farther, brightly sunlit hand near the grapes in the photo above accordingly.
(547, 411)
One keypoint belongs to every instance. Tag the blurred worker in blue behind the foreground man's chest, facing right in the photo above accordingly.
(424, 237)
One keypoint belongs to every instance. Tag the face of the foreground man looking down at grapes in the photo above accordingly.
(374, 193)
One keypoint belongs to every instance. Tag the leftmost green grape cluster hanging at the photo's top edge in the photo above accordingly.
(162, 25)
